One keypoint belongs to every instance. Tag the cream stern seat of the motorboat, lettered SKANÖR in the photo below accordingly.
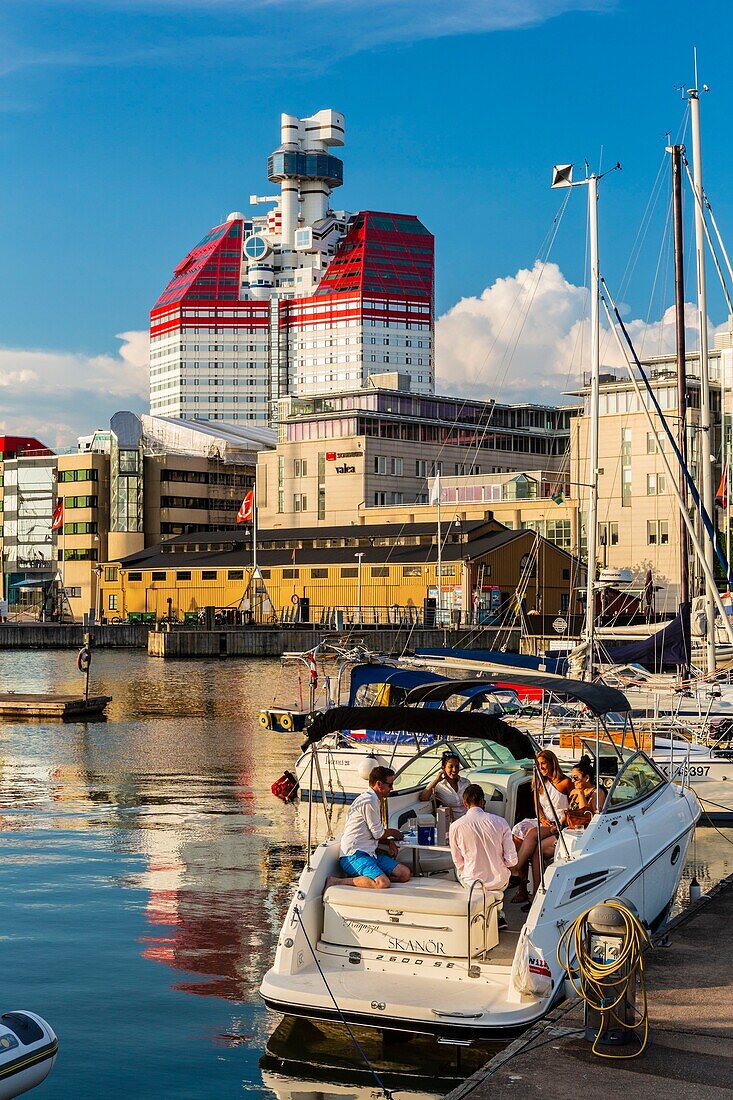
(424, 917)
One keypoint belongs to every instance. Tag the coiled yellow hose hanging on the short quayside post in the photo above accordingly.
(604, 986)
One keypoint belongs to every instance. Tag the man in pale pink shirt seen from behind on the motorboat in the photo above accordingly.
(482, 844)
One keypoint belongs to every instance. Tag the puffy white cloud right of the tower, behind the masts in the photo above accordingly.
(527, 338)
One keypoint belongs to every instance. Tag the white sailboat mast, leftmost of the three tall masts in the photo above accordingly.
(592, 532)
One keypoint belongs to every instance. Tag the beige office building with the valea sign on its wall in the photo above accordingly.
(342, 454)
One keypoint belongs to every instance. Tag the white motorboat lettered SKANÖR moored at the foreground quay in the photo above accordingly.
(428, 956)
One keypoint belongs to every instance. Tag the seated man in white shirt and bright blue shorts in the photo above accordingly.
(364, 832)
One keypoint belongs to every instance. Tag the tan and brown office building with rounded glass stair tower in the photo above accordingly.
(145, 480)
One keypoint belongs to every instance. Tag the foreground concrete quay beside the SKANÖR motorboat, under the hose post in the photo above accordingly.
(690, 978)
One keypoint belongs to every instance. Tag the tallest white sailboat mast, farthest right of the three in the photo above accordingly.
(706, 421)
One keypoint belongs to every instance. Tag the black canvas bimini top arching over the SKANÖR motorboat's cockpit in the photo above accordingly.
(450, 724)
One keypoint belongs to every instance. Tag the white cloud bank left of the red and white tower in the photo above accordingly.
(58, 397)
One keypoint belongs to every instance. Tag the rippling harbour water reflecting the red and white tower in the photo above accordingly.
(146, 870)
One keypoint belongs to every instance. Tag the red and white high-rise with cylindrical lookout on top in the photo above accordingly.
(299, 301)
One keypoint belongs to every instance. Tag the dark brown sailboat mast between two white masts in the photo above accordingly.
(676, 152)
